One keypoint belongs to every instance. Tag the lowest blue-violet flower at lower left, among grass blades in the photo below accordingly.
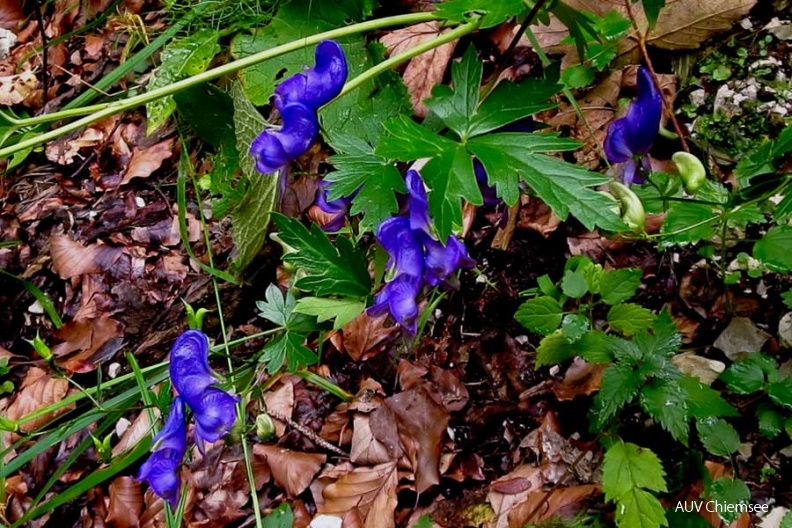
(161, 470)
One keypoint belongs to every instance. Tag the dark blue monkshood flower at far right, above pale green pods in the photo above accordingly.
(631, 137)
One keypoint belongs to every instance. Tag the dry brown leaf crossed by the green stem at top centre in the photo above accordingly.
(427, 69)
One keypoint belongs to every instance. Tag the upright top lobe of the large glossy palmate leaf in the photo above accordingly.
(457, 107)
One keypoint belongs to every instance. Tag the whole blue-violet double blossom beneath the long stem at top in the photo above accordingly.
(297, 99)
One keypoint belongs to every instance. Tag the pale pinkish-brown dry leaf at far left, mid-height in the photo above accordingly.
(72, 259)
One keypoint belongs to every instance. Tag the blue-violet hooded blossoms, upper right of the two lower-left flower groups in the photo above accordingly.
(214, 410)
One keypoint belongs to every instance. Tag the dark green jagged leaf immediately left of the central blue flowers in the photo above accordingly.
(330, 270)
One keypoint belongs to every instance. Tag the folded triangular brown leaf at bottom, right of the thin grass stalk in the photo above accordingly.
(292, 471)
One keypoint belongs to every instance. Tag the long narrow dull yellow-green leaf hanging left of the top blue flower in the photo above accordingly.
(251, 218)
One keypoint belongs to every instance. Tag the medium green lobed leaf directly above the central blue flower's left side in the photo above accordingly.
(357, 167)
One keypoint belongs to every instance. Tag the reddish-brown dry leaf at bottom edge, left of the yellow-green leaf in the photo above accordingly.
(547, 504)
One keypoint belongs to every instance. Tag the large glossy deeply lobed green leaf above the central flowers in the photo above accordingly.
(507, 157)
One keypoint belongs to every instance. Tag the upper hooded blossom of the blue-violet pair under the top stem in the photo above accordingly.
(318, 85)
